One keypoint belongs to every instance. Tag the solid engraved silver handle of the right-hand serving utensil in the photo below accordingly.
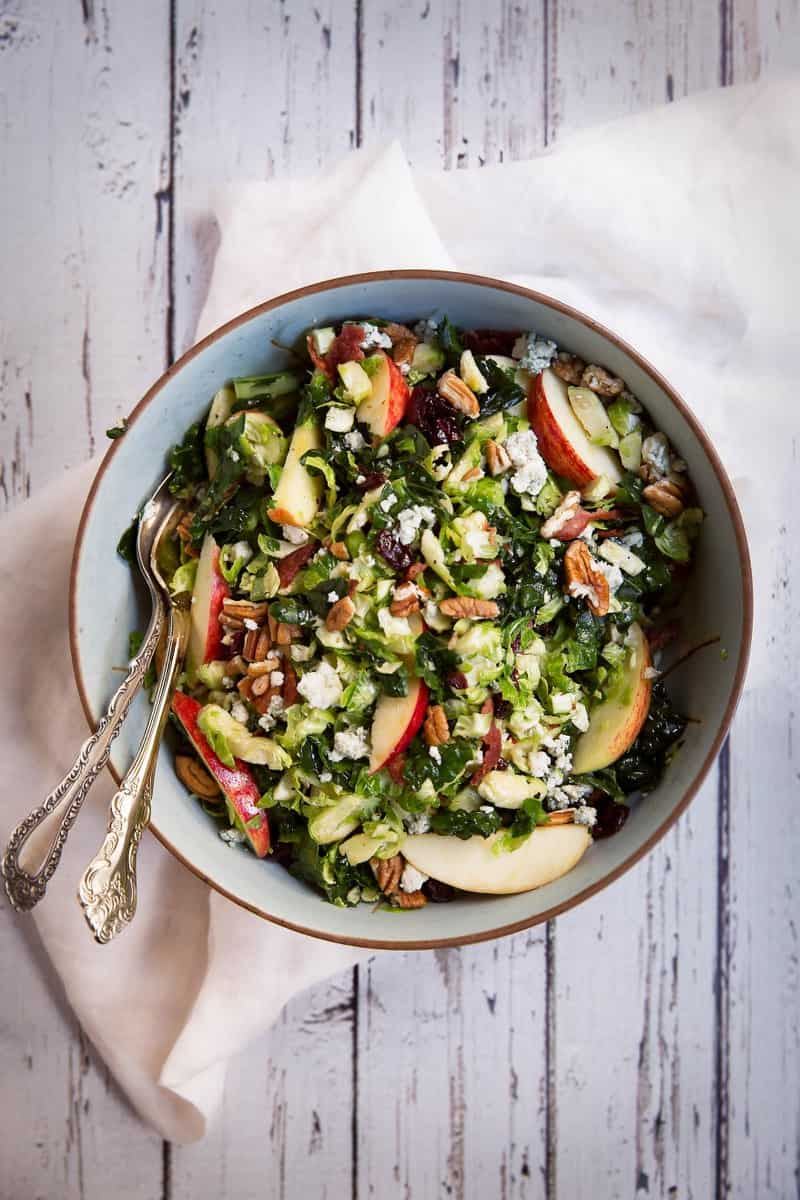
(109, 891)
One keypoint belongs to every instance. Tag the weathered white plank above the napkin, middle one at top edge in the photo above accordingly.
(460, 83)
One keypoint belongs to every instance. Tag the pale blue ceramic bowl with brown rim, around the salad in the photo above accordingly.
(105, 605)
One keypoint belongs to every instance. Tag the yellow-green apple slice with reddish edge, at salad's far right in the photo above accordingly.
(615, 724)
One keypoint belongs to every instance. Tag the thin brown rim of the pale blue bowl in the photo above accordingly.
(733, 509)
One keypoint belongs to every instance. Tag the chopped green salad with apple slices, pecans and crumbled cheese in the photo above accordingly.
(432, 571)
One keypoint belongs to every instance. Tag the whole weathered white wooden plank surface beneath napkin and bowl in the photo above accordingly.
(647, 1045)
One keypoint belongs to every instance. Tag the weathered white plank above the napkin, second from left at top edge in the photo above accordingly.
(261, 91)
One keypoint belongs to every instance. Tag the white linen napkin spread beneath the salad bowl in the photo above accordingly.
(677, 229)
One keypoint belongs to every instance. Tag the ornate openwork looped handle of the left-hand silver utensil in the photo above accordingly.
(26, 886)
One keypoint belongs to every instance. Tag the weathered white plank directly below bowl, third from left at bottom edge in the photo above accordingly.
(452, 1072)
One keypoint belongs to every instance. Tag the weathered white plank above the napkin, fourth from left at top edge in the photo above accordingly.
(607, 61)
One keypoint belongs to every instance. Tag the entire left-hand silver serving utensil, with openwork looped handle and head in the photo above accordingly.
(35, 848)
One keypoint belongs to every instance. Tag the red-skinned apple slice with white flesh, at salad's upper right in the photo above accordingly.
(563, 442)
